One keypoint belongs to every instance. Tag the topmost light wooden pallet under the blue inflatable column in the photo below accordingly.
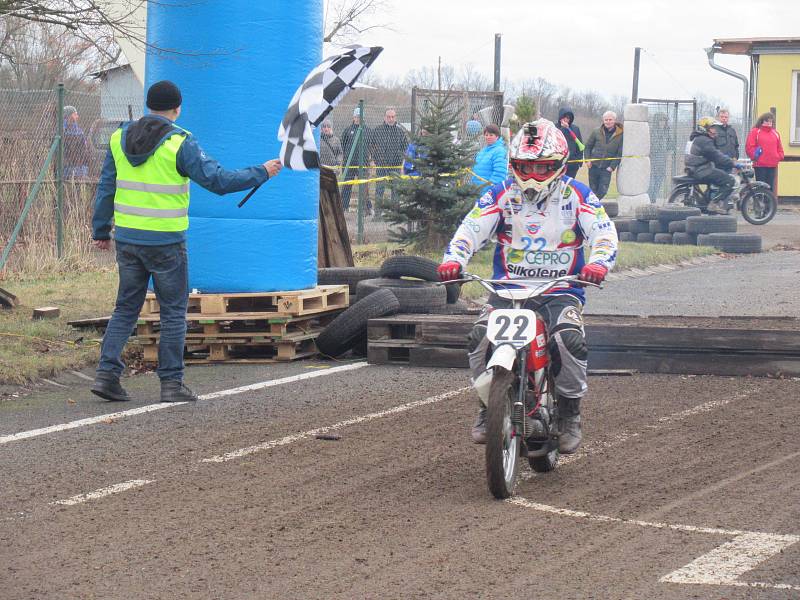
(242, 306)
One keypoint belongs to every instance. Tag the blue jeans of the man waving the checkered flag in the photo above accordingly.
(169, 268)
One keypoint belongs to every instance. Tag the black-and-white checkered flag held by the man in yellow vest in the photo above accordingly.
(322, 89)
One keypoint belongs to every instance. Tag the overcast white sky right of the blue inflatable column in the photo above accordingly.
(585, 44)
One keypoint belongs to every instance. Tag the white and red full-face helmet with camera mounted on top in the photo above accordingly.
(538, 157)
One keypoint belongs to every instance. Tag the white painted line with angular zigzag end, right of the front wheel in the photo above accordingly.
(721, 566)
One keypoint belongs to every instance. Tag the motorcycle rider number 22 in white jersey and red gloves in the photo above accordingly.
(541, 220)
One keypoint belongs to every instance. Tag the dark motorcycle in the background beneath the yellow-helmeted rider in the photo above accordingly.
(755, 198)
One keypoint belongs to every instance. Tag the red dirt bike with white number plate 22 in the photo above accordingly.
(517, 386)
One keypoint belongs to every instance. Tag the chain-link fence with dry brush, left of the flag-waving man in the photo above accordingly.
(57, 203)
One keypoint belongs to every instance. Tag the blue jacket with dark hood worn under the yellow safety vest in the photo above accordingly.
(140, 139)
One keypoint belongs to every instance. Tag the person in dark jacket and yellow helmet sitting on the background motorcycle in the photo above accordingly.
(707, 164)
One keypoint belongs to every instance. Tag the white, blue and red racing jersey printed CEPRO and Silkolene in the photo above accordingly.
(537, 241)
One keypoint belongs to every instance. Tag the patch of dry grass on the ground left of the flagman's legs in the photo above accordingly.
(33, 349)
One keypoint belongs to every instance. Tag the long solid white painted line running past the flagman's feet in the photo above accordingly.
(14, 437)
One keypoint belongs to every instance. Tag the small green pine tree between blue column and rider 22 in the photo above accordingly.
(426, 210)
